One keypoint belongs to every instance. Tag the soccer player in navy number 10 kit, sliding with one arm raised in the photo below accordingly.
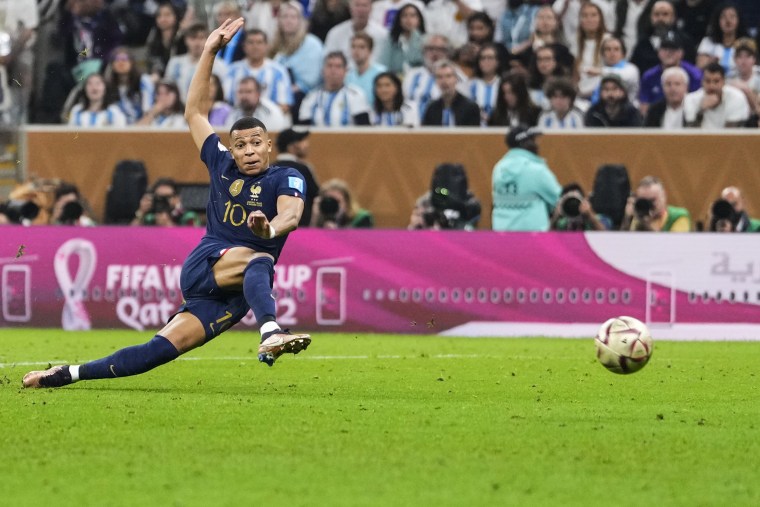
(252, 208)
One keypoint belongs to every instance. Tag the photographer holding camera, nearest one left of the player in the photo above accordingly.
(162, 205)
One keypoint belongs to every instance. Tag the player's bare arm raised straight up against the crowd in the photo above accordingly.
(198, 100)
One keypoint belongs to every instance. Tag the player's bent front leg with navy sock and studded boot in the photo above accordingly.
(254, 272)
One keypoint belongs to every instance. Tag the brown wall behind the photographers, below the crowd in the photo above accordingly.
(388, 170)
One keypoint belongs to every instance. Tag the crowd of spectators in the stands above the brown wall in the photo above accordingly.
(562, 64)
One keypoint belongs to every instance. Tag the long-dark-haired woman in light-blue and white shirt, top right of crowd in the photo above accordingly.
(726, 26)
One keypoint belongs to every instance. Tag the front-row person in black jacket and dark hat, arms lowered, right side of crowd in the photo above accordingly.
(614, 109)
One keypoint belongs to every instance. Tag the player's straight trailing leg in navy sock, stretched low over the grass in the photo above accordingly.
(183, 333)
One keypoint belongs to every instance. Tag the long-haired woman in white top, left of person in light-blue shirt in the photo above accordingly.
(588, 62)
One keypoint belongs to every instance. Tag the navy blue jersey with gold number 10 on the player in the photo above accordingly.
(233, 196)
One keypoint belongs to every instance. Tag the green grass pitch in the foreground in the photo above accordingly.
(382, 420)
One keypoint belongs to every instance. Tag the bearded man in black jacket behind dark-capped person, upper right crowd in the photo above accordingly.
(662, 21)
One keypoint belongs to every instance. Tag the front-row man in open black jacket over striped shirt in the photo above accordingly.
(452, 109)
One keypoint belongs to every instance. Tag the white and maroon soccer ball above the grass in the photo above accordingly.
(624, 345)
